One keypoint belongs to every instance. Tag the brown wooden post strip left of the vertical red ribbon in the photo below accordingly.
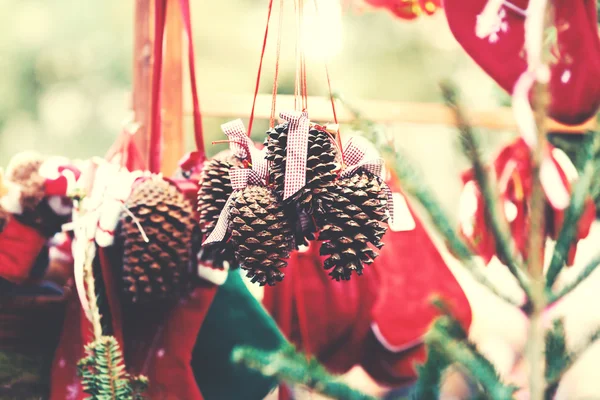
(142, 72)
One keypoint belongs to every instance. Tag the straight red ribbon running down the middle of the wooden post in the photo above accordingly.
(155, 159)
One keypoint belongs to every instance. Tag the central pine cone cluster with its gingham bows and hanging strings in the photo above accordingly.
(304, 186)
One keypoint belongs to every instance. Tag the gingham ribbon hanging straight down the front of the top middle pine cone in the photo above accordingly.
(297, 151)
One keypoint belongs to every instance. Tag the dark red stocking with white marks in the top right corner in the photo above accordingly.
(575, 81)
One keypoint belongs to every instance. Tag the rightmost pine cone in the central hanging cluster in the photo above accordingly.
(353, 221)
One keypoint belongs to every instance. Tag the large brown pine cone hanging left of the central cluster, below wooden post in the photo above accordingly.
(156, 269)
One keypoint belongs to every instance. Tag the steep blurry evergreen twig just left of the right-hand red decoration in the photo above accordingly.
(505, 245)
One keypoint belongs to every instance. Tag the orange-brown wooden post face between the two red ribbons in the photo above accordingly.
(172, 89)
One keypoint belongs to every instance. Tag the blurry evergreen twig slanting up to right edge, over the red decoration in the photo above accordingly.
(573, 214)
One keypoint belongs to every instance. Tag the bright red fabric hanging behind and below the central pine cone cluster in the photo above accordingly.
(333, 320)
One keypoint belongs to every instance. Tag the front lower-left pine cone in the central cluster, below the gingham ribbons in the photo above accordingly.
(261, 234)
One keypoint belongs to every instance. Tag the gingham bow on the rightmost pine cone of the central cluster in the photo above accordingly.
(356, 157)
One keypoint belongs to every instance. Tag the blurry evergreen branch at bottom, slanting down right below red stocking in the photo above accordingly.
(450, 340)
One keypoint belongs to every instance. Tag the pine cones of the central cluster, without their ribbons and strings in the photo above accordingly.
(347, 214)
